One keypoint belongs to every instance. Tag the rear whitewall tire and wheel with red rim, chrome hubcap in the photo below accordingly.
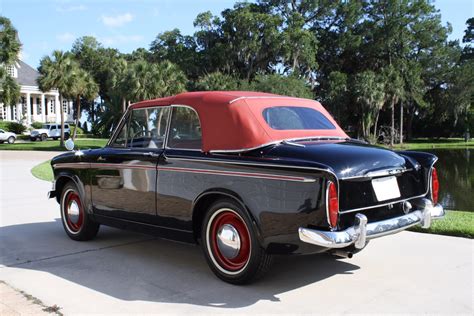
(237, 266)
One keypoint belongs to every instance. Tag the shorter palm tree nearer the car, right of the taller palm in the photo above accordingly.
(81, 85)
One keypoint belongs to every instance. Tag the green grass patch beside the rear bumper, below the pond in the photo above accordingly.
(456, 223)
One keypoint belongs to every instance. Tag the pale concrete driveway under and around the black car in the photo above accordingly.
(123, 272)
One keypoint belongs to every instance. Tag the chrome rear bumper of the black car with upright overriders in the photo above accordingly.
(362, 231)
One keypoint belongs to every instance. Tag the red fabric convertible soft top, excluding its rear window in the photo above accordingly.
(233, 120)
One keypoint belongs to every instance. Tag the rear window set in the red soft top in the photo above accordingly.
(295, 118)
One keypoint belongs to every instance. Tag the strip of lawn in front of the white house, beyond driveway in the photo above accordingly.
(53, 145)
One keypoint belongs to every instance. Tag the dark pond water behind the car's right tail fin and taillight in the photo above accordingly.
(456, 178)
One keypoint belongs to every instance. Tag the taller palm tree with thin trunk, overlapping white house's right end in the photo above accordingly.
(54, 74)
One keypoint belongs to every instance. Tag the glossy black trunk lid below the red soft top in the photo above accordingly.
(346, 158)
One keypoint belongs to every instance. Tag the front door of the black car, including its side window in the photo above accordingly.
(124, 173)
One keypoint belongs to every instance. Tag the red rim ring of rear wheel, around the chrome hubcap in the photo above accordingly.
(241, 259)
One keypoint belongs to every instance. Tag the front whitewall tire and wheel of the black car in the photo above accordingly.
(76, 222)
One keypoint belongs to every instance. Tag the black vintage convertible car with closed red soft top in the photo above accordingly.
(247, 175)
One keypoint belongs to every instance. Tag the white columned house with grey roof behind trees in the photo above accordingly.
(34, 105)
